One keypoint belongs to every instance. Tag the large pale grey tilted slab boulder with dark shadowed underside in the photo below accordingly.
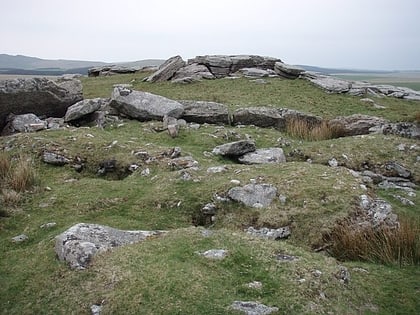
(144, 106)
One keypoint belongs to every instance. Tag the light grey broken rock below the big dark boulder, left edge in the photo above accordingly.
(23, 123)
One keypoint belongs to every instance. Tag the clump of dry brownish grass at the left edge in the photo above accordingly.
(16, 177)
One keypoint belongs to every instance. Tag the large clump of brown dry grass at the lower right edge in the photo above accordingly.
(384, 244)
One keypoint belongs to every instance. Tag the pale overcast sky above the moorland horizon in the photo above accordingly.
(362, 34)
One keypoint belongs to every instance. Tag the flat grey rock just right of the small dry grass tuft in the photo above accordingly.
(357, 124)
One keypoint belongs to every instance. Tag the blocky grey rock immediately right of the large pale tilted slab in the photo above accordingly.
(205, 112)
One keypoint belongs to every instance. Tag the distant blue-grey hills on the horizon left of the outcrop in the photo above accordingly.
(20, 64)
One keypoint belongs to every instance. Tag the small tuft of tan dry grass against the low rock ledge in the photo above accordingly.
(302, 129)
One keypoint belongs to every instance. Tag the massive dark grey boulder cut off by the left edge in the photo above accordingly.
(40, 96)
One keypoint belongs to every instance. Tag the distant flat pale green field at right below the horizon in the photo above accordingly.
(410, 79)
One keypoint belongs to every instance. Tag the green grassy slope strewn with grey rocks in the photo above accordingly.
(165, 275)
